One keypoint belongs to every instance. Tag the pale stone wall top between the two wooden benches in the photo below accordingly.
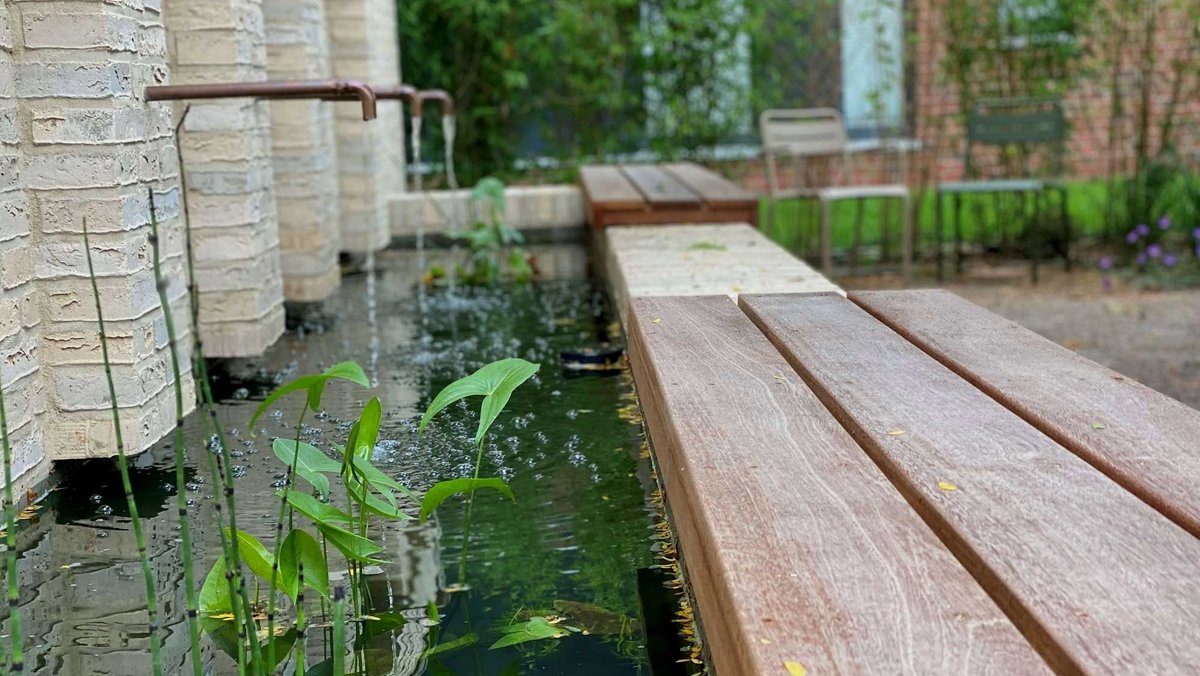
(724, 259)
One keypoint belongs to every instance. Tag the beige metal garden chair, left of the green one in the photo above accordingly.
(820, 133)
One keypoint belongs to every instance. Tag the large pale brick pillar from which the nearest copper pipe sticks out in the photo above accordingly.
(91, 148)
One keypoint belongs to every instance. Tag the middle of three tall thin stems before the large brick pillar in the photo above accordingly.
(185, 531)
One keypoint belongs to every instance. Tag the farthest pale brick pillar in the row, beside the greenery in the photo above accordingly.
(365, 46)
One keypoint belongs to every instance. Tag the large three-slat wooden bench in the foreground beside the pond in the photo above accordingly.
(932, 493)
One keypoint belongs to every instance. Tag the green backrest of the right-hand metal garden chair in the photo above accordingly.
(1010, 122)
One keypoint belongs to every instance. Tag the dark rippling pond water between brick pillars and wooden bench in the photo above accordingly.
(571, 543)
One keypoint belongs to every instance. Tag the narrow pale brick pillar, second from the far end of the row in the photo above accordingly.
(304, 152)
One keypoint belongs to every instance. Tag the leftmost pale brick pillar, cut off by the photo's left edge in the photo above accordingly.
(21, 379)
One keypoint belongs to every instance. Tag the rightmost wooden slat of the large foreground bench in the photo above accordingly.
(1145, 441)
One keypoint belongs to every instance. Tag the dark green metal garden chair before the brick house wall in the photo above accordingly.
(1005, 124)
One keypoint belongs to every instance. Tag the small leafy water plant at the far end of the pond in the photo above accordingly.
(495, 248)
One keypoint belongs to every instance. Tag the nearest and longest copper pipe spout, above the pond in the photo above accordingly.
(323, 89)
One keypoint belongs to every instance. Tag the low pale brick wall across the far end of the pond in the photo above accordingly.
(526, 207)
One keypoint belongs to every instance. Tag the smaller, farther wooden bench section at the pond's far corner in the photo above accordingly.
(680, 193)
